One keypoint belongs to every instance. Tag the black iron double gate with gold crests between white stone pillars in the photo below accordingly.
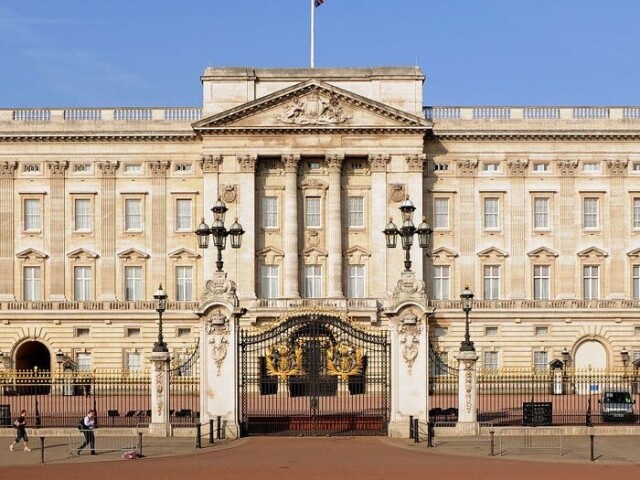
(314, 374)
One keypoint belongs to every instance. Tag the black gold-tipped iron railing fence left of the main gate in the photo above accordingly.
(121, 399)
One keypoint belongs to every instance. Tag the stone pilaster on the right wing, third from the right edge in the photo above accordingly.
(517, 170)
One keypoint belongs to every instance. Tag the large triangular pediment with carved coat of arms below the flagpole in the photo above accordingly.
(313, 104)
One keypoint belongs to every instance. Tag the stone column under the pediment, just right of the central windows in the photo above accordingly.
(334, 227)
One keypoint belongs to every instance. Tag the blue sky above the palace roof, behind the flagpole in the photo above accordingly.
(474, 52)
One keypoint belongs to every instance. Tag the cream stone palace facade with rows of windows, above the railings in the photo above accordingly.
(536, 209)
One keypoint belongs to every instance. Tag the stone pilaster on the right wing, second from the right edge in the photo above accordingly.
(566, 287)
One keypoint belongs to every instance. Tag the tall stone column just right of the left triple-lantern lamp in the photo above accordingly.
(246, 200)
